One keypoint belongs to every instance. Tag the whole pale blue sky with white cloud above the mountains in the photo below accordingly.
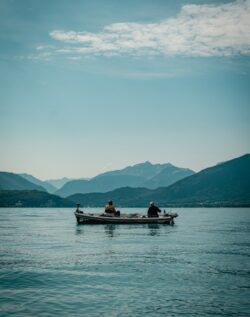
(91, 86)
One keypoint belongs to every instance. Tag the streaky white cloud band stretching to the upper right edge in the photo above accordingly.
(198, 30)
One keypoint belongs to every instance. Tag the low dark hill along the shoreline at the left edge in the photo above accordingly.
(31, 198)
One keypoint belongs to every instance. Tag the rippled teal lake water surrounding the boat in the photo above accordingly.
(50, 266)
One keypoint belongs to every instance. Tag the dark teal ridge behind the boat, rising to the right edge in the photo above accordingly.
(226, 184)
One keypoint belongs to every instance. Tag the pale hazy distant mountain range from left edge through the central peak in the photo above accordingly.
(140, 175)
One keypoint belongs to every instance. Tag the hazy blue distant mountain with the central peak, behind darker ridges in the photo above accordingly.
(139, 175)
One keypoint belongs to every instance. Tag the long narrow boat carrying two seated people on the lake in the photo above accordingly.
(89, 218)
